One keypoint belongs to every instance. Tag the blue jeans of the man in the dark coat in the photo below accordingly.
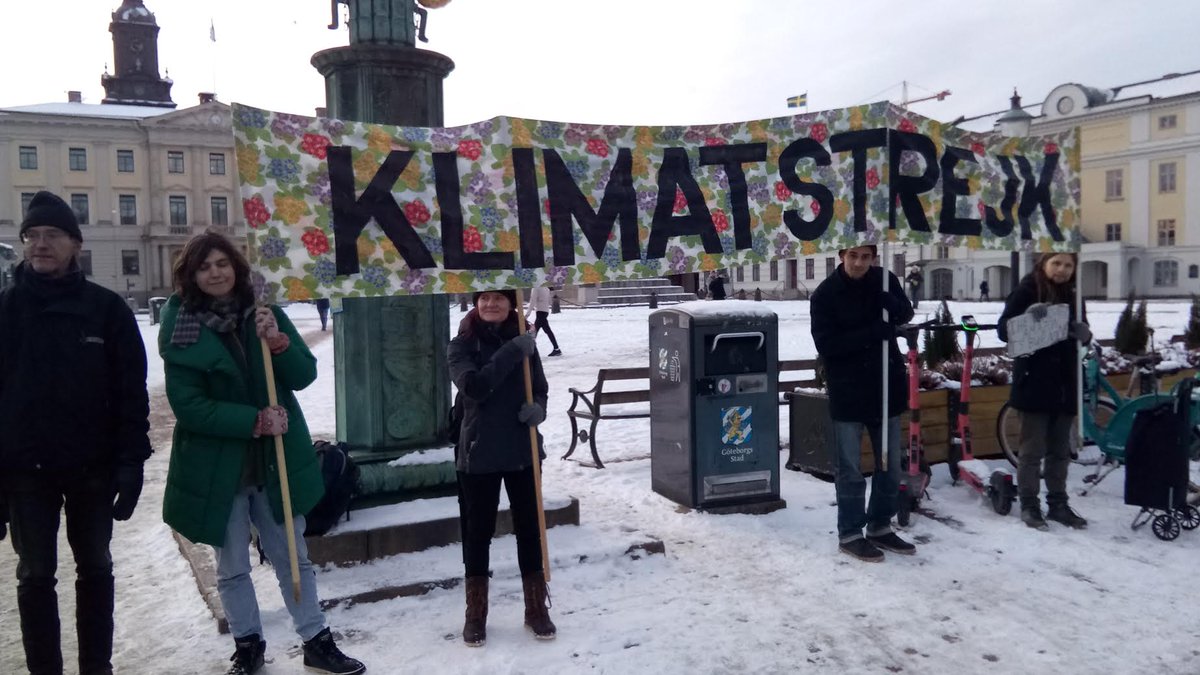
(847, 451)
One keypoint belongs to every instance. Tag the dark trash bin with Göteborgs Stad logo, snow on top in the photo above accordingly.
(715, 411)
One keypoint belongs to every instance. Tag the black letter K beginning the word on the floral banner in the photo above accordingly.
(351, 216)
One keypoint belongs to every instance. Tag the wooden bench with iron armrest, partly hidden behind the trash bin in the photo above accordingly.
(597, 399)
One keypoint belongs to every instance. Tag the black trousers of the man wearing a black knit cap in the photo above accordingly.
(35, 504)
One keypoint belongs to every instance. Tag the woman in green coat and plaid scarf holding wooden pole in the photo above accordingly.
(224, 477)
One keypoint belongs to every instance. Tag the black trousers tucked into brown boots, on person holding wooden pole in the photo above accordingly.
(481, 494)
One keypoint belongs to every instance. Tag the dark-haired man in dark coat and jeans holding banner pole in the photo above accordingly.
(850, 333)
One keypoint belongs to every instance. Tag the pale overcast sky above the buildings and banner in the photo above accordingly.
(637, 62)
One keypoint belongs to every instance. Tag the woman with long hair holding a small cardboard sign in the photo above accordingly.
(1045, 393)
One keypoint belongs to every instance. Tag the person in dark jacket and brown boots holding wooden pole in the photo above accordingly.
(493, 449)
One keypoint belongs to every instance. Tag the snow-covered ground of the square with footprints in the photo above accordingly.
(734, 594)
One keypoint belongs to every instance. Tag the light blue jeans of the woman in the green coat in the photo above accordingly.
(237, 589)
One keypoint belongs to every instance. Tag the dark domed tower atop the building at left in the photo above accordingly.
(136, 61)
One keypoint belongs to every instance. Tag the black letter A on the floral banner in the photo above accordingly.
(676, 175)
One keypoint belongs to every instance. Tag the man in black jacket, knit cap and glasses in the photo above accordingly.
(75, 414)
